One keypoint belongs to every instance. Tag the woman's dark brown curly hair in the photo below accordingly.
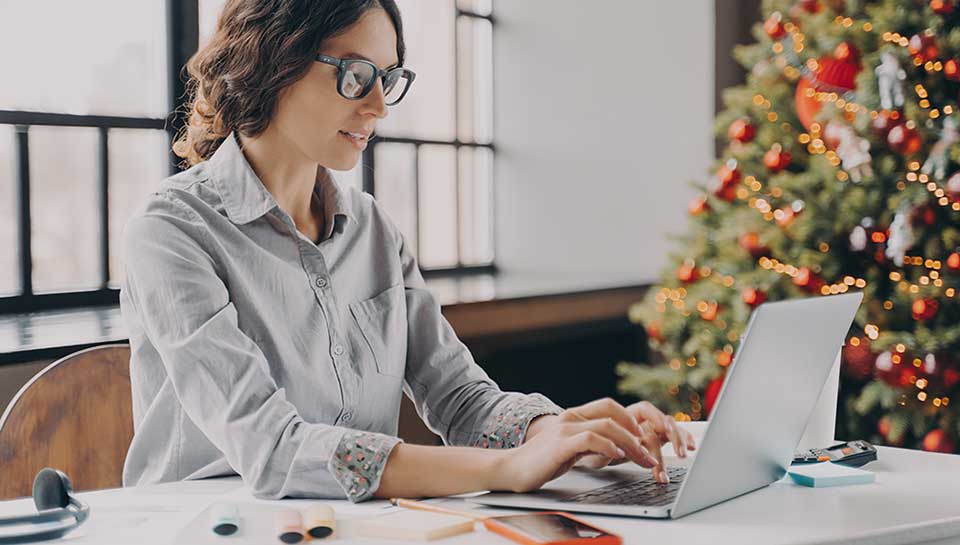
(259, 48)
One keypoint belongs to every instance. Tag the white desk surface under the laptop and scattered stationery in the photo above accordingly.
(916, 499)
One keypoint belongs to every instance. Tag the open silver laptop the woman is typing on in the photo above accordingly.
(770, 391)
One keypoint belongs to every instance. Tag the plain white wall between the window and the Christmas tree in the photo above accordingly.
(603, 115)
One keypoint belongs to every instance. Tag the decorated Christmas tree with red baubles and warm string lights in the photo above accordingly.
(841, 172)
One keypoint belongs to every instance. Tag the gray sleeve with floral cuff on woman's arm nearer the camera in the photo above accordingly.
(220, 375)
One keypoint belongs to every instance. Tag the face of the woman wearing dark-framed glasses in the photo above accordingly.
(311, 113)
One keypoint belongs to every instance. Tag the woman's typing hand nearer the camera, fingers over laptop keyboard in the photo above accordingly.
(561, 442)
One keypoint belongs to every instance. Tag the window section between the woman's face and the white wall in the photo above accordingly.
(432, 165)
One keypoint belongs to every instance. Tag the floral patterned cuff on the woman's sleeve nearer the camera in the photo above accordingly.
(359, 461)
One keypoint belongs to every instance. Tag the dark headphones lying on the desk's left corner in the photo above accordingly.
(58, 511)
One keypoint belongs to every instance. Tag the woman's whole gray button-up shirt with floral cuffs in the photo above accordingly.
(259, 352)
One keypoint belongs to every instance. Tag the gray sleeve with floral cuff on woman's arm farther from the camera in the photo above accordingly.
(452, 394)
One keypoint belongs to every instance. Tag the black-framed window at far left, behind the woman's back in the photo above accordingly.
(82, 131)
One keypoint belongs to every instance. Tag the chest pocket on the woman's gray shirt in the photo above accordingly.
(383, 322)
